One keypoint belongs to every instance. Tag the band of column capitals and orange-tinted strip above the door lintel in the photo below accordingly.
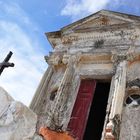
(114, 57)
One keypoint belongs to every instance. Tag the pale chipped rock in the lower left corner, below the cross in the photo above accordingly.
(17, 122)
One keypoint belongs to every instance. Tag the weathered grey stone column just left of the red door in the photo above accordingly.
(60, 108)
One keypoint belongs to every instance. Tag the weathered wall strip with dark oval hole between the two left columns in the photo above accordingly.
(48, 100)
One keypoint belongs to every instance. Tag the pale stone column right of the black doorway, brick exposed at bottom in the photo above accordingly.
(112, 128)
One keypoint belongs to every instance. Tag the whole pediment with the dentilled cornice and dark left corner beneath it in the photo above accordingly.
(98, 25)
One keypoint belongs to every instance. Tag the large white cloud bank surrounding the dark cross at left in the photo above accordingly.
(22, 80)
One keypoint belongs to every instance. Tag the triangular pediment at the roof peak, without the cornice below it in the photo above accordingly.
(101, 19)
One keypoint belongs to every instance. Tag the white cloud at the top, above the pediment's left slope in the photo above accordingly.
(79, 8)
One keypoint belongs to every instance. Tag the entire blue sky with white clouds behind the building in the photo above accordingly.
(22, 27)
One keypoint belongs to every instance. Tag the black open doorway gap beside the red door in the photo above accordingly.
(97, 113)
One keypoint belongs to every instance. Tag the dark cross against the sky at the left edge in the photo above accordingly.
(5, 62)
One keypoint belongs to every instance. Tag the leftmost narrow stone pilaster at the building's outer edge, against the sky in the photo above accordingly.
(37, 100)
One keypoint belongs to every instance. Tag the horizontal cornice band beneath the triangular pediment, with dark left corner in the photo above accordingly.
(114, 32)
